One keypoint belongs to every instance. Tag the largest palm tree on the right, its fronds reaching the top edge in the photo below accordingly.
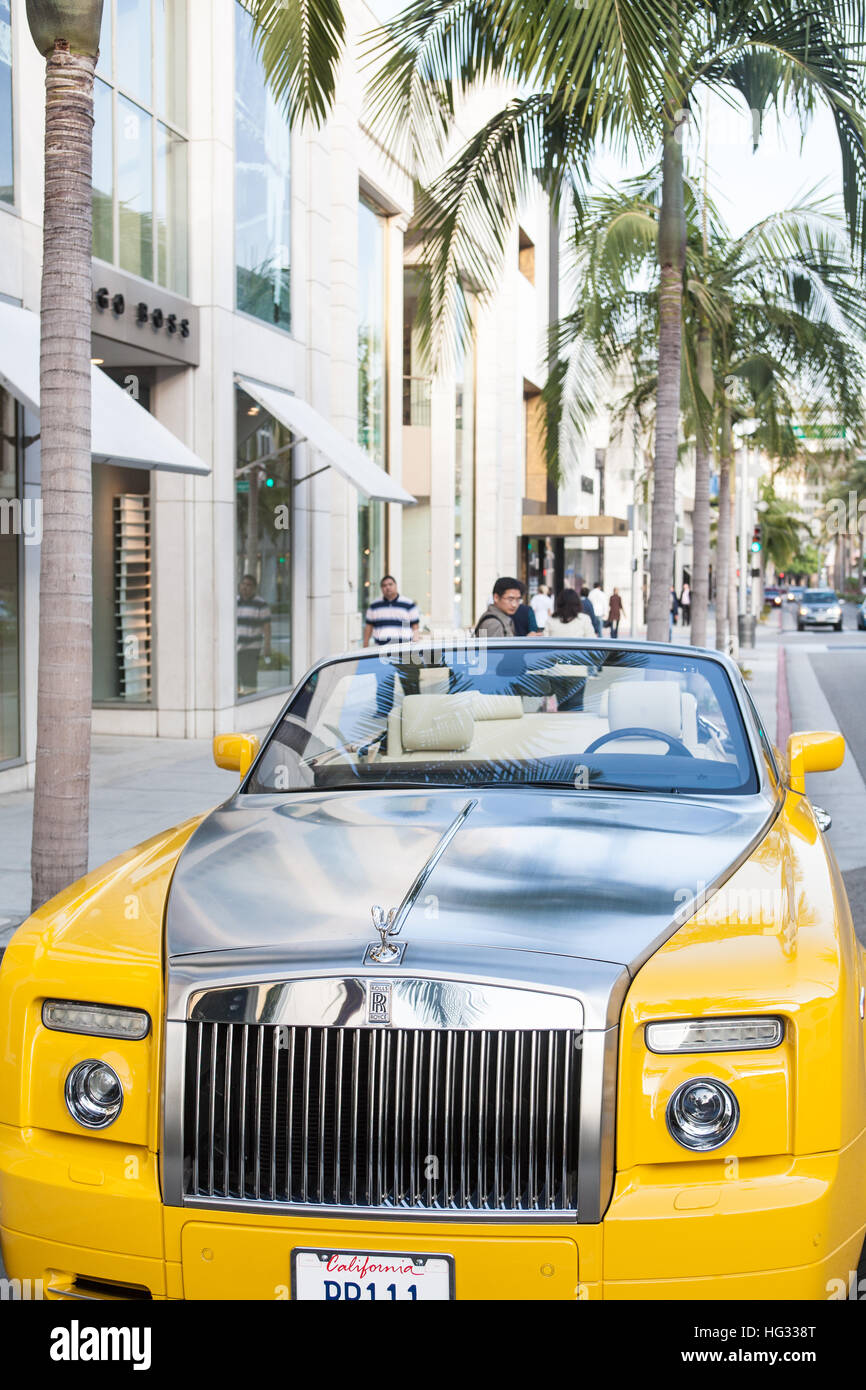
(608, 73)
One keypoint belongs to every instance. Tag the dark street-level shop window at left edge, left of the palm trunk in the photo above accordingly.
(10, 568)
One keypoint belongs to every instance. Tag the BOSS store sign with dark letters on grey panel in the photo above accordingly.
(142, 316)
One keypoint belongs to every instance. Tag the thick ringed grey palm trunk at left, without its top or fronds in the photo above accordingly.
(63, 730)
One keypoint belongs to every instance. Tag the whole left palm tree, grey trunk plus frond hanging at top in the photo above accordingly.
(301, 45)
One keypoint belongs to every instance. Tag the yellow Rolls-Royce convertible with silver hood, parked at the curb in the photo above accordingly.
(512, 971)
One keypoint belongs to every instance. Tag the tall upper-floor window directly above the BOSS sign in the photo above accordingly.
(140, 144)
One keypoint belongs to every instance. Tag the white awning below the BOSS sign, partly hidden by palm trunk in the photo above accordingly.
(122, 432)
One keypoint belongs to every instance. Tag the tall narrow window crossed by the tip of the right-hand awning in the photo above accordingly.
(372, 382)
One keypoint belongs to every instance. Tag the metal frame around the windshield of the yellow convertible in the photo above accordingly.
(729, 671)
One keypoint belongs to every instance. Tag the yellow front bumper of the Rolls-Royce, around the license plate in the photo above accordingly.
(84, 1216)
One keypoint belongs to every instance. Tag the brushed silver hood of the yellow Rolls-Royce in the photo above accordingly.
(547, 888)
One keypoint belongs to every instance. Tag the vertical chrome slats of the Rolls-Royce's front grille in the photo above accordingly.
(426, 1120)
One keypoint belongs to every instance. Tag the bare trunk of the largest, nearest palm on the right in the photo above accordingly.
(672, 261)
